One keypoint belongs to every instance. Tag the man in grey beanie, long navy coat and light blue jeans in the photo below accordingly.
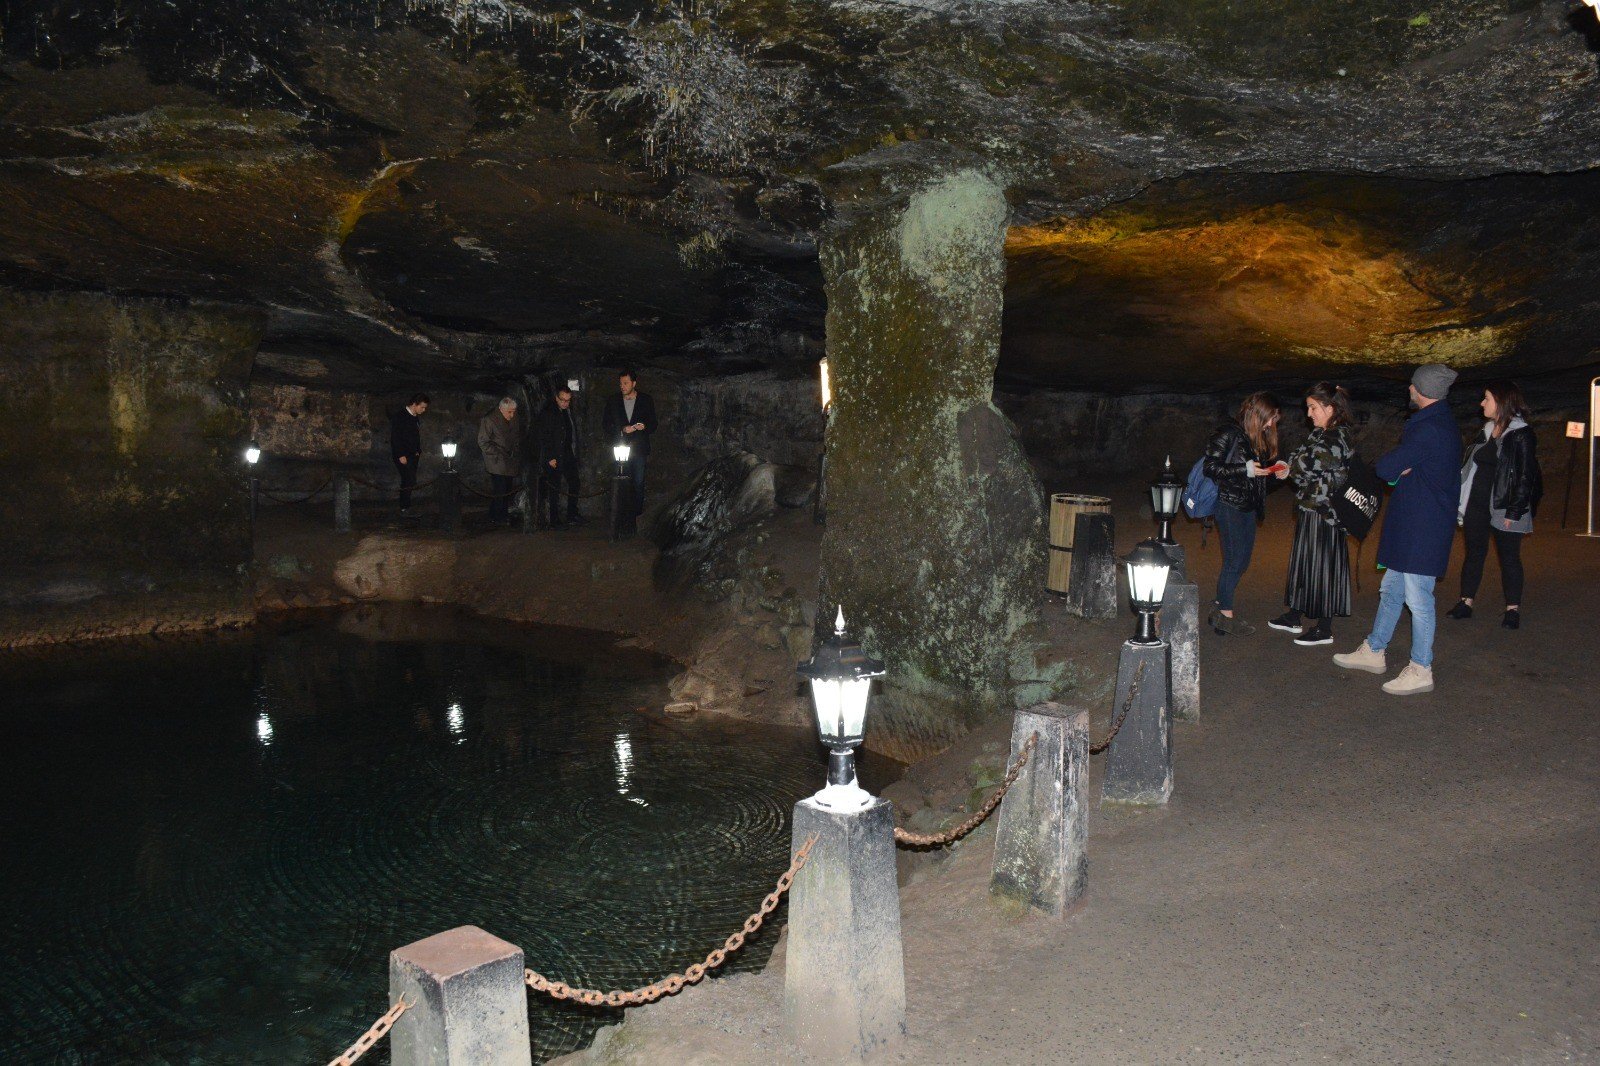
(1418, 532)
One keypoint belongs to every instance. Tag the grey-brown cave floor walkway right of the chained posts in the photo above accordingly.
(1340, 876)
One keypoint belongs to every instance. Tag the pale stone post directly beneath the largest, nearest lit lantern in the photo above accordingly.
(844, 977)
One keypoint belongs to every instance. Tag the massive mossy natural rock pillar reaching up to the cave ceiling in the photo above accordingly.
(935, 539)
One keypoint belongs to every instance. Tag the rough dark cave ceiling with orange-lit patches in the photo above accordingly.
(1206, 193)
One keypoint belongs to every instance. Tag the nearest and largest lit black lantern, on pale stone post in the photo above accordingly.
(841, 676)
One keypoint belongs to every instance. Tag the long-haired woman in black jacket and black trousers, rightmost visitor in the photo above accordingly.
(1500, 491)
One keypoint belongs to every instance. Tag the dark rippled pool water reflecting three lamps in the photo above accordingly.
(212, 846)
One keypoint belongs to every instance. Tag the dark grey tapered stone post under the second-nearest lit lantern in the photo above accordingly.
(1140, 763)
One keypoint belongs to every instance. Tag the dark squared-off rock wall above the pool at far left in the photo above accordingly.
(121, 433)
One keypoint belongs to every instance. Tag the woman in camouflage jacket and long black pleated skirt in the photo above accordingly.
(1319, 582)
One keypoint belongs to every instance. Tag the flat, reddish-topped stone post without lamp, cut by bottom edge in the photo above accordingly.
(470, 1006)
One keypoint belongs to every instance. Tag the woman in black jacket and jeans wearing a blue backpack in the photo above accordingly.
(1239, 457)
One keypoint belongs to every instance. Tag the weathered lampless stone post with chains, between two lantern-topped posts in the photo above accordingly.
(1042, 844)
